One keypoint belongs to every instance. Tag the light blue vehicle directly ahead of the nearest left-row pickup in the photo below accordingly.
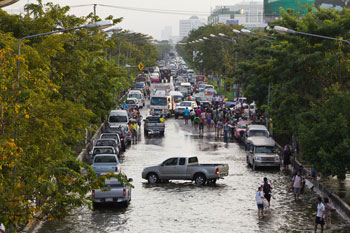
(103, 163)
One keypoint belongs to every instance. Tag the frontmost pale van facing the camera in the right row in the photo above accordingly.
(262, 153)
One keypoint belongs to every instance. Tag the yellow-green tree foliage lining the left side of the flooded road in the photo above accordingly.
(66, 83)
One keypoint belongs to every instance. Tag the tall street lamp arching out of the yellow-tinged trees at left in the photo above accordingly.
(99, 25)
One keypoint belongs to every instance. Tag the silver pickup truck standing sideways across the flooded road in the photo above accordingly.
(185, 168)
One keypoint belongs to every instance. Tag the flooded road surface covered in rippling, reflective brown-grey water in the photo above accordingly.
(228, 206)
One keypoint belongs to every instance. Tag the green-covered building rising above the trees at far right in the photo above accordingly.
(272, 7)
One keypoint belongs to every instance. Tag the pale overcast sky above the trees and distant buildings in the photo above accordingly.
(145, 22)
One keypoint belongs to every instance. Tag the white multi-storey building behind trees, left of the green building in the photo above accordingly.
(249, 14)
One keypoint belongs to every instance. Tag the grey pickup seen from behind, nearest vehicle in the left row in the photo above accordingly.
(113, 192)
